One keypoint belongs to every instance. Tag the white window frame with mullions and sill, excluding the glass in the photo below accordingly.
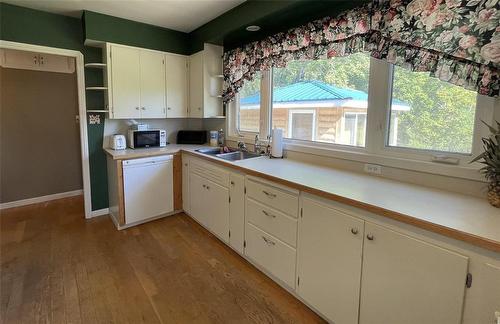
(376, 149)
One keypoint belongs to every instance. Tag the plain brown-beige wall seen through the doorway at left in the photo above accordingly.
(39, 136)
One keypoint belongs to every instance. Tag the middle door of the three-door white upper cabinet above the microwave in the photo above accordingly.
(152, 85)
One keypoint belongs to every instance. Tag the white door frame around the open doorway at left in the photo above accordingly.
(81, 107)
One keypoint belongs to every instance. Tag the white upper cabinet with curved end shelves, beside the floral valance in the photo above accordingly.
(205, 84)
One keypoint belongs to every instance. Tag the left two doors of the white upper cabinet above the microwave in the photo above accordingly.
(137, 79)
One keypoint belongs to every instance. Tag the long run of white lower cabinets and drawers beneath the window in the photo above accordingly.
(336, 259)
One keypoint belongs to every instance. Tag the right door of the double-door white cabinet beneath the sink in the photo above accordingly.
(217, 208)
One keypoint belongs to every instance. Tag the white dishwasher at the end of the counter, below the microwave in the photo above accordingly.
(148, 187)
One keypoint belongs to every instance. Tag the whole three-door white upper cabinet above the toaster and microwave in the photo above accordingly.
(143, 83)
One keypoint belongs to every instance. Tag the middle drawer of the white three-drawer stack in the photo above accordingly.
(272, 221)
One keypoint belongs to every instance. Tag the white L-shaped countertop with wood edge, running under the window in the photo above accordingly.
(459, 216)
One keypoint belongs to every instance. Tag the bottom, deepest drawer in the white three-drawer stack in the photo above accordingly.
(270, 253)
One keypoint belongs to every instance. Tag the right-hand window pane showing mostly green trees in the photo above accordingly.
(430, 114)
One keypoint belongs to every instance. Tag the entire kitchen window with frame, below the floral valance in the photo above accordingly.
(367, 110)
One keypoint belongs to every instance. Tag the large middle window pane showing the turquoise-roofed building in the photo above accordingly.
(319, 100)
